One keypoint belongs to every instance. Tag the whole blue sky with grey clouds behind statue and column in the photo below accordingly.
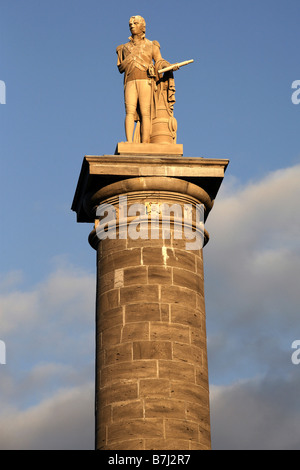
(64, 100)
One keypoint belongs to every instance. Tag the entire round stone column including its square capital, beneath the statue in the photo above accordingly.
(151, 357)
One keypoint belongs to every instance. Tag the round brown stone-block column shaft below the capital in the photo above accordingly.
(152, 378)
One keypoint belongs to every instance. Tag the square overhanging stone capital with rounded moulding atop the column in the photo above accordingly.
(199, 177)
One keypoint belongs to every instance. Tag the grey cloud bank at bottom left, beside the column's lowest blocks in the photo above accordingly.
(62, 422)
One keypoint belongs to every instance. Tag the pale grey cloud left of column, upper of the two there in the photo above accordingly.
(61, 298)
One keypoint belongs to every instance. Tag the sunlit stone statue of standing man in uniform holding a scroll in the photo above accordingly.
(149, 88)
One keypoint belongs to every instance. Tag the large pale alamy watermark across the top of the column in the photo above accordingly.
(151, 221)
